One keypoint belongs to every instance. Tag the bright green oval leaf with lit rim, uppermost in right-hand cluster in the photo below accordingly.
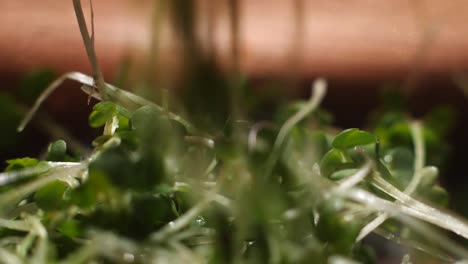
(353, 137)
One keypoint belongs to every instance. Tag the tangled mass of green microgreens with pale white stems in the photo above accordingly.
(159, 188)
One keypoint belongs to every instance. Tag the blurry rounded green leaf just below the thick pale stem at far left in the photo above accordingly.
(52, 196)
